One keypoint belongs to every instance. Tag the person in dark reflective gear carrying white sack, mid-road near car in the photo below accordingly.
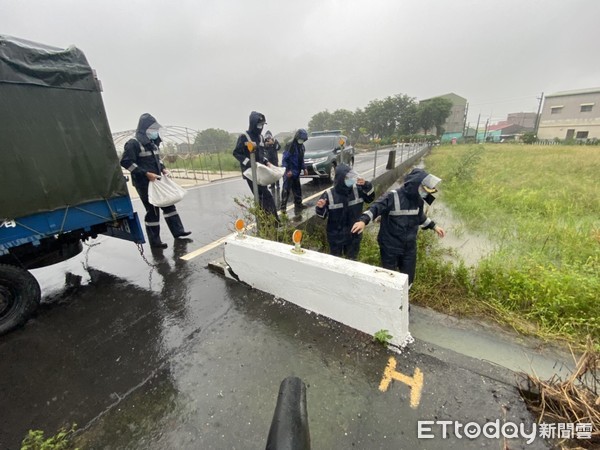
(253, 137)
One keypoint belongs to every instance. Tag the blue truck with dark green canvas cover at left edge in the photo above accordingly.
(61, 183)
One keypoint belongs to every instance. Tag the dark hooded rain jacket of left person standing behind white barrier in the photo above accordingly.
(343, 206)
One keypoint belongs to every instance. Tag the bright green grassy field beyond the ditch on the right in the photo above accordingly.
(541, 204)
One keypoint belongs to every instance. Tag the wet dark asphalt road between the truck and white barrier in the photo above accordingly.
(178, 357)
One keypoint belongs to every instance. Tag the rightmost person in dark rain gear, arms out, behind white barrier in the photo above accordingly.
(402, 215)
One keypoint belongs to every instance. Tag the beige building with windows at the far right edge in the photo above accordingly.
(571, 115)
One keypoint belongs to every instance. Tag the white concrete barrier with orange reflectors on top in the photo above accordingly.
(364, 297)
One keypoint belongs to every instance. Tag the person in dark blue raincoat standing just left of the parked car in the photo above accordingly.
(293, 161)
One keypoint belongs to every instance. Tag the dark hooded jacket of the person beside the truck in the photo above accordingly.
(141, 155)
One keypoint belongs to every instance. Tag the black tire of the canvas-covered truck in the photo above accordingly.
(19, 296)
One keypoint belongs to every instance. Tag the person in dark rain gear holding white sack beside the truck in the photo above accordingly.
(141, 157)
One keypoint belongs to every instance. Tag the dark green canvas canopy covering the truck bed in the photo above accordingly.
(55, 142)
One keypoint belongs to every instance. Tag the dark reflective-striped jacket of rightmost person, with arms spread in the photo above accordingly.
(402, 214)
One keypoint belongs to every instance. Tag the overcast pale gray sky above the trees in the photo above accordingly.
(208, 63)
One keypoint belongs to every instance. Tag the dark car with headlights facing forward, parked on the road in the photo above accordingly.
(324, 151)
